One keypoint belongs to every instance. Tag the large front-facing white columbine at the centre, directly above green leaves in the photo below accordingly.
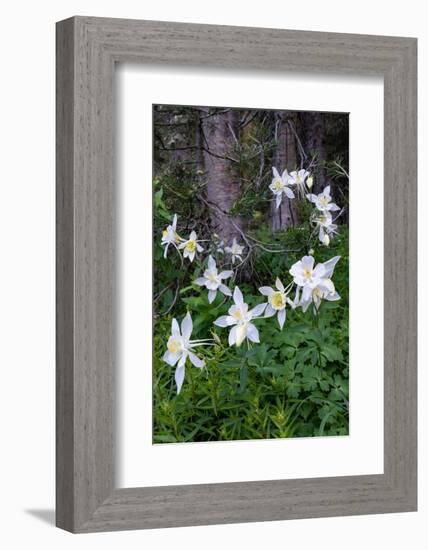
(239, 319)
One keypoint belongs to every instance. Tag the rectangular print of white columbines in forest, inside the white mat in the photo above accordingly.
(250, 274)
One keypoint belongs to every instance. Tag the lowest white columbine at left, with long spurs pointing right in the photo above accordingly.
(180, 347)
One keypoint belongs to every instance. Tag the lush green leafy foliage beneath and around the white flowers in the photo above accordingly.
(293, 384)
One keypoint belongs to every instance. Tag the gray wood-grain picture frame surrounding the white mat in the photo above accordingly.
(87, 50)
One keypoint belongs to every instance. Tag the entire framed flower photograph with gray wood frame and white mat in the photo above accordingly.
(236, 274)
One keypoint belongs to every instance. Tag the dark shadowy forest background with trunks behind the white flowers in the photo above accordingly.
(223, 158)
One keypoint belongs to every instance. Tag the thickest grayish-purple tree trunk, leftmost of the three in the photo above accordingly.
(222, 174)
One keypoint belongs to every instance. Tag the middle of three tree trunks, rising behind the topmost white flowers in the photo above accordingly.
(285, 156)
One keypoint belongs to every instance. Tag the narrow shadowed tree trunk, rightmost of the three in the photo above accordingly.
(314, 130)
